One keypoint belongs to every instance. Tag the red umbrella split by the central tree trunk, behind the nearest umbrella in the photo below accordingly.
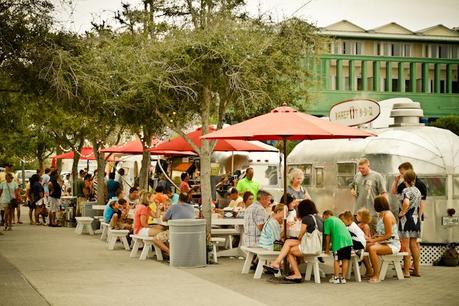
(179, 144)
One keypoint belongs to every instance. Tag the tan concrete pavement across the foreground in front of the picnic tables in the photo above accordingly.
(66, 269)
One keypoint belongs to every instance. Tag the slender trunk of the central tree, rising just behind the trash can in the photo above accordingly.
(205, 155)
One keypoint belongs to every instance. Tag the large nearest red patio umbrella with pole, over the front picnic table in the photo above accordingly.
(285, 123)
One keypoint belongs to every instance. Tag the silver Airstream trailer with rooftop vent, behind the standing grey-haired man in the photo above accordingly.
(330, 166)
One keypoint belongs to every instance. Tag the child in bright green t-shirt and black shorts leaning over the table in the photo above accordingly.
(341, 240)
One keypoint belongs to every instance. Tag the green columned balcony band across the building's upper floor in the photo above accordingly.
(382, 67)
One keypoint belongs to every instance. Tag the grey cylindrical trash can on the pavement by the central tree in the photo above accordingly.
(187, 241)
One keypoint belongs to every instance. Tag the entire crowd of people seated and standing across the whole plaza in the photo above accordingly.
(370, 227)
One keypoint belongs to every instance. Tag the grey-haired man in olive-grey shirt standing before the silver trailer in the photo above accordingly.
(367, 185)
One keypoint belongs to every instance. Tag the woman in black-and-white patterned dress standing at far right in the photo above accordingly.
(410, 222)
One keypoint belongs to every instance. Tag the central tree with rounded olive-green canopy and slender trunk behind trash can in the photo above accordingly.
(224, 65)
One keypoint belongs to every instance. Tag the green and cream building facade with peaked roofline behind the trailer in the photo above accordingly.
(387, 62)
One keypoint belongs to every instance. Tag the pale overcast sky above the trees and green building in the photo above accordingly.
(368, 14)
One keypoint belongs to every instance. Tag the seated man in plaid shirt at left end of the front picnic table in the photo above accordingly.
(255, 218)
